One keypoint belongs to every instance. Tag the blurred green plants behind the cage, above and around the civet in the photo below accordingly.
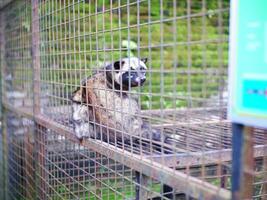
(186, 45)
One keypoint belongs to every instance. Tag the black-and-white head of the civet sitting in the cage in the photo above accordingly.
(127, 72)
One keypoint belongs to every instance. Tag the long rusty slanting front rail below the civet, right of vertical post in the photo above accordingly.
(177, 179)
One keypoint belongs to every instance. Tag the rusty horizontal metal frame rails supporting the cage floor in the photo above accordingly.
(151, 166)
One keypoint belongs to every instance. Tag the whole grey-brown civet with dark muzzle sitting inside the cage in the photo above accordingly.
(104, 109)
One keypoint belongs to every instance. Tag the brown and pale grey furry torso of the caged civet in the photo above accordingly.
(113, 113)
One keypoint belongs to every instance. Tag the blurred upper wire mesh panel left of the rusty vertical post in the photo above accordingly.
(17, 69)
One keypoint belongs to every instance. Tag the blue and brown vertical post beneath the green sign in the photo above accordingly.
(243, 162)
